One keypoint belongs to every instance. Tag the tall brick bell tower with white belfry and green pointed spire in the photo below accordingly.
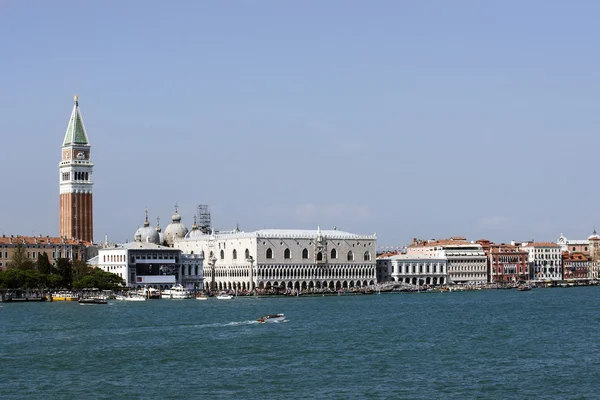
(75, 177)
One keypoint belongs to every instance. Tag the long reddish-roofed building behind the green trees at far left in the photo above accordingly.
(33, 246)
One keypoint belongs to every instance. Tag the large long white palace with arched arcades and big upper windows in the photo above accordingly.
(279, 259)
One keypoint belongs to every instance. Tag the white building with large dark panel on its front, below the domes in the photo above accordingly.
(144, 264)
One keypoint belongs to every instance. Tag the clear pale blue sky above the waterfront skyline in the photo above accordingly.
(407, 119)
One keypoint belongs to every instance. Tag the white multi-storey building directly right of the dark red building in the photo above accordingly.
(545, 260)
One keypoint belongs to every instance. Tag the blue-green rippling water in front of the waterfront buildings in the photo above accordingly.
(484, 344)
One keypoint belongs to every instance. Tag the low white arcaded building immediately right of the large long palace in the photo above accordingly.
(418, 269)
